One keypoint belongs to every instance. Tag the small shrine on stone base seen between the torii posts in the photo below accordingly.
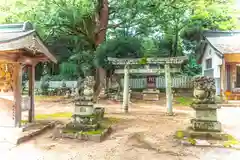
(151, 93)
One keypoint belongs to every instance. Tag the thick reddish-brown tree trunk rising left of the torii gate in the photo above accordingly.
(102, 21)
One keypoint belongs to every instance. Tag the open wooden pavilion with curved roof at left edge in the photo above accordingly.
(20, 46)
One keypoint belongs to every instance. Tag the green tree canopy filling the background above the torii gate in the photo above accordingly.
(82, 31)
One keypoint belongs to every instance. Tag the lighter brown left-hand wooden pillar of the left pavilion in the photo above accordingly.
(18, 94)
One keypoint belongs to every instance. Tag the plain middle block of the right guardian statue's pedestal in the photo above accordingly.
(210, 115)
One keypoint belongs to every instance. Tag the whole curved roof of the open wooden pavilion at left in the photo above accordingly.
(23, 37)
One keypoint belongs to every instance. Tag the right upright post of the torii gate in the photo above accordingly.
(168, 83)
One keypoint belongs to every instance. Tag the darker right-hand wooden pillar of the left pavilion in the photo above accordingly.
(31, 75)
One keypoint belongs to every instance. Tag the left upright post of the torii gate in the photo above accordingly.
(126, 89)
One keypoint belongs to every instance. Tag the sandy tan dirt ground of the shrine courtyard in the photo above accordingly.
(145, 133)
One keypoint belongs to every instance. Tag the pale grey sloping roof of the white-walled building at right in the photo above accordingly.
(224, 42)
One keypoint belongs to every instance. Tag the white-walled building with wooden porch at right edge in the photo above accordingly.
(220, 59)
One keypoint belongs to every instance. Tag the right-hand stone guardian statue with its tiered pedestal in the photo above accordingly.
(204, 105)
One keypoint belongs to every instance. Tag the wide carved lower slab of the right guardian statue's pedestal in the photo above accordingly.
(204, 125)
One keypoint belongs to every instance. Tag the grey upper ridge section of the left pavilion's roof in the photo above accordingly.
(9, 32)
